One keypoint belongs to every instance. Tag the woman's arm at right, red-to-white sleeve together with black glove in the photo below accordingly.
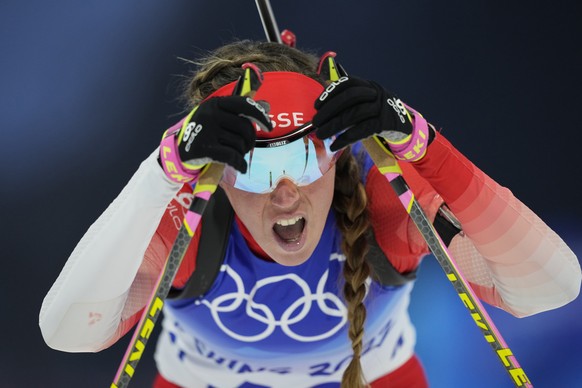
(515, 260)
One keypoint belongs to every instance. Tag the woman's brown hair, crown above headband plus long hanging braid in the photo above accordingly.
(224, 66)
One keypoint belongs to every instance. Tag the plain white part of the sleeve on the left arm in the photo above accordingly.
(83, 308)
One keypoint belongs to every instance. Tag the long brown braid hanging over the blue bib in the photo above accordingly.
(350, 204)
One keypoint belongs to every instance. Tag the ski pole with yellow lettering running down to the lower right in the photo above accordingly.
(383, 158)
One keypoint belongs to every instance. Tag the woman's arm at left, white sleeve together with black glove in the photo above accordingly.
(109, 276)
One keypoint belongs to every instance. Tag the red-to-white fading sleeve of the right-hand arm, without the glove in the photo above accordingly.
(511, 257)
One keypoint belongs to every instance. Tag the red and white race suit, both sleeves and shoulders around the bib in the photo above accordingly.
(511, 258)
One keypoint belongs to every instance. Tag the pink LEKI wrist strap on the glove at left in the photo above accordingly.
(170, 158)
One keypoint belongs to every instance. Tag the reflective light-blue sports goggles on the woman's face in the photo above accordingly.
(299, 157)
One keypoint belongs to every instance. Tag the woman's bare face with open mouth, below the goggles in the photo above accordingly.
(288, 222)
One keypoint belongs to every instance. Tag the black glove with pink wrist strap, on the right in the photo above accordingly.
(354, 109)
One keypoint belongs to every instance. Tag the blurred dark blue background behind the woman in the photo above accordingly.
(87, 88)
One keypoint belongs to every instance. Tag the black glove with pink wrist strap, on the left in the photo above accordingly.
(218, 130)
